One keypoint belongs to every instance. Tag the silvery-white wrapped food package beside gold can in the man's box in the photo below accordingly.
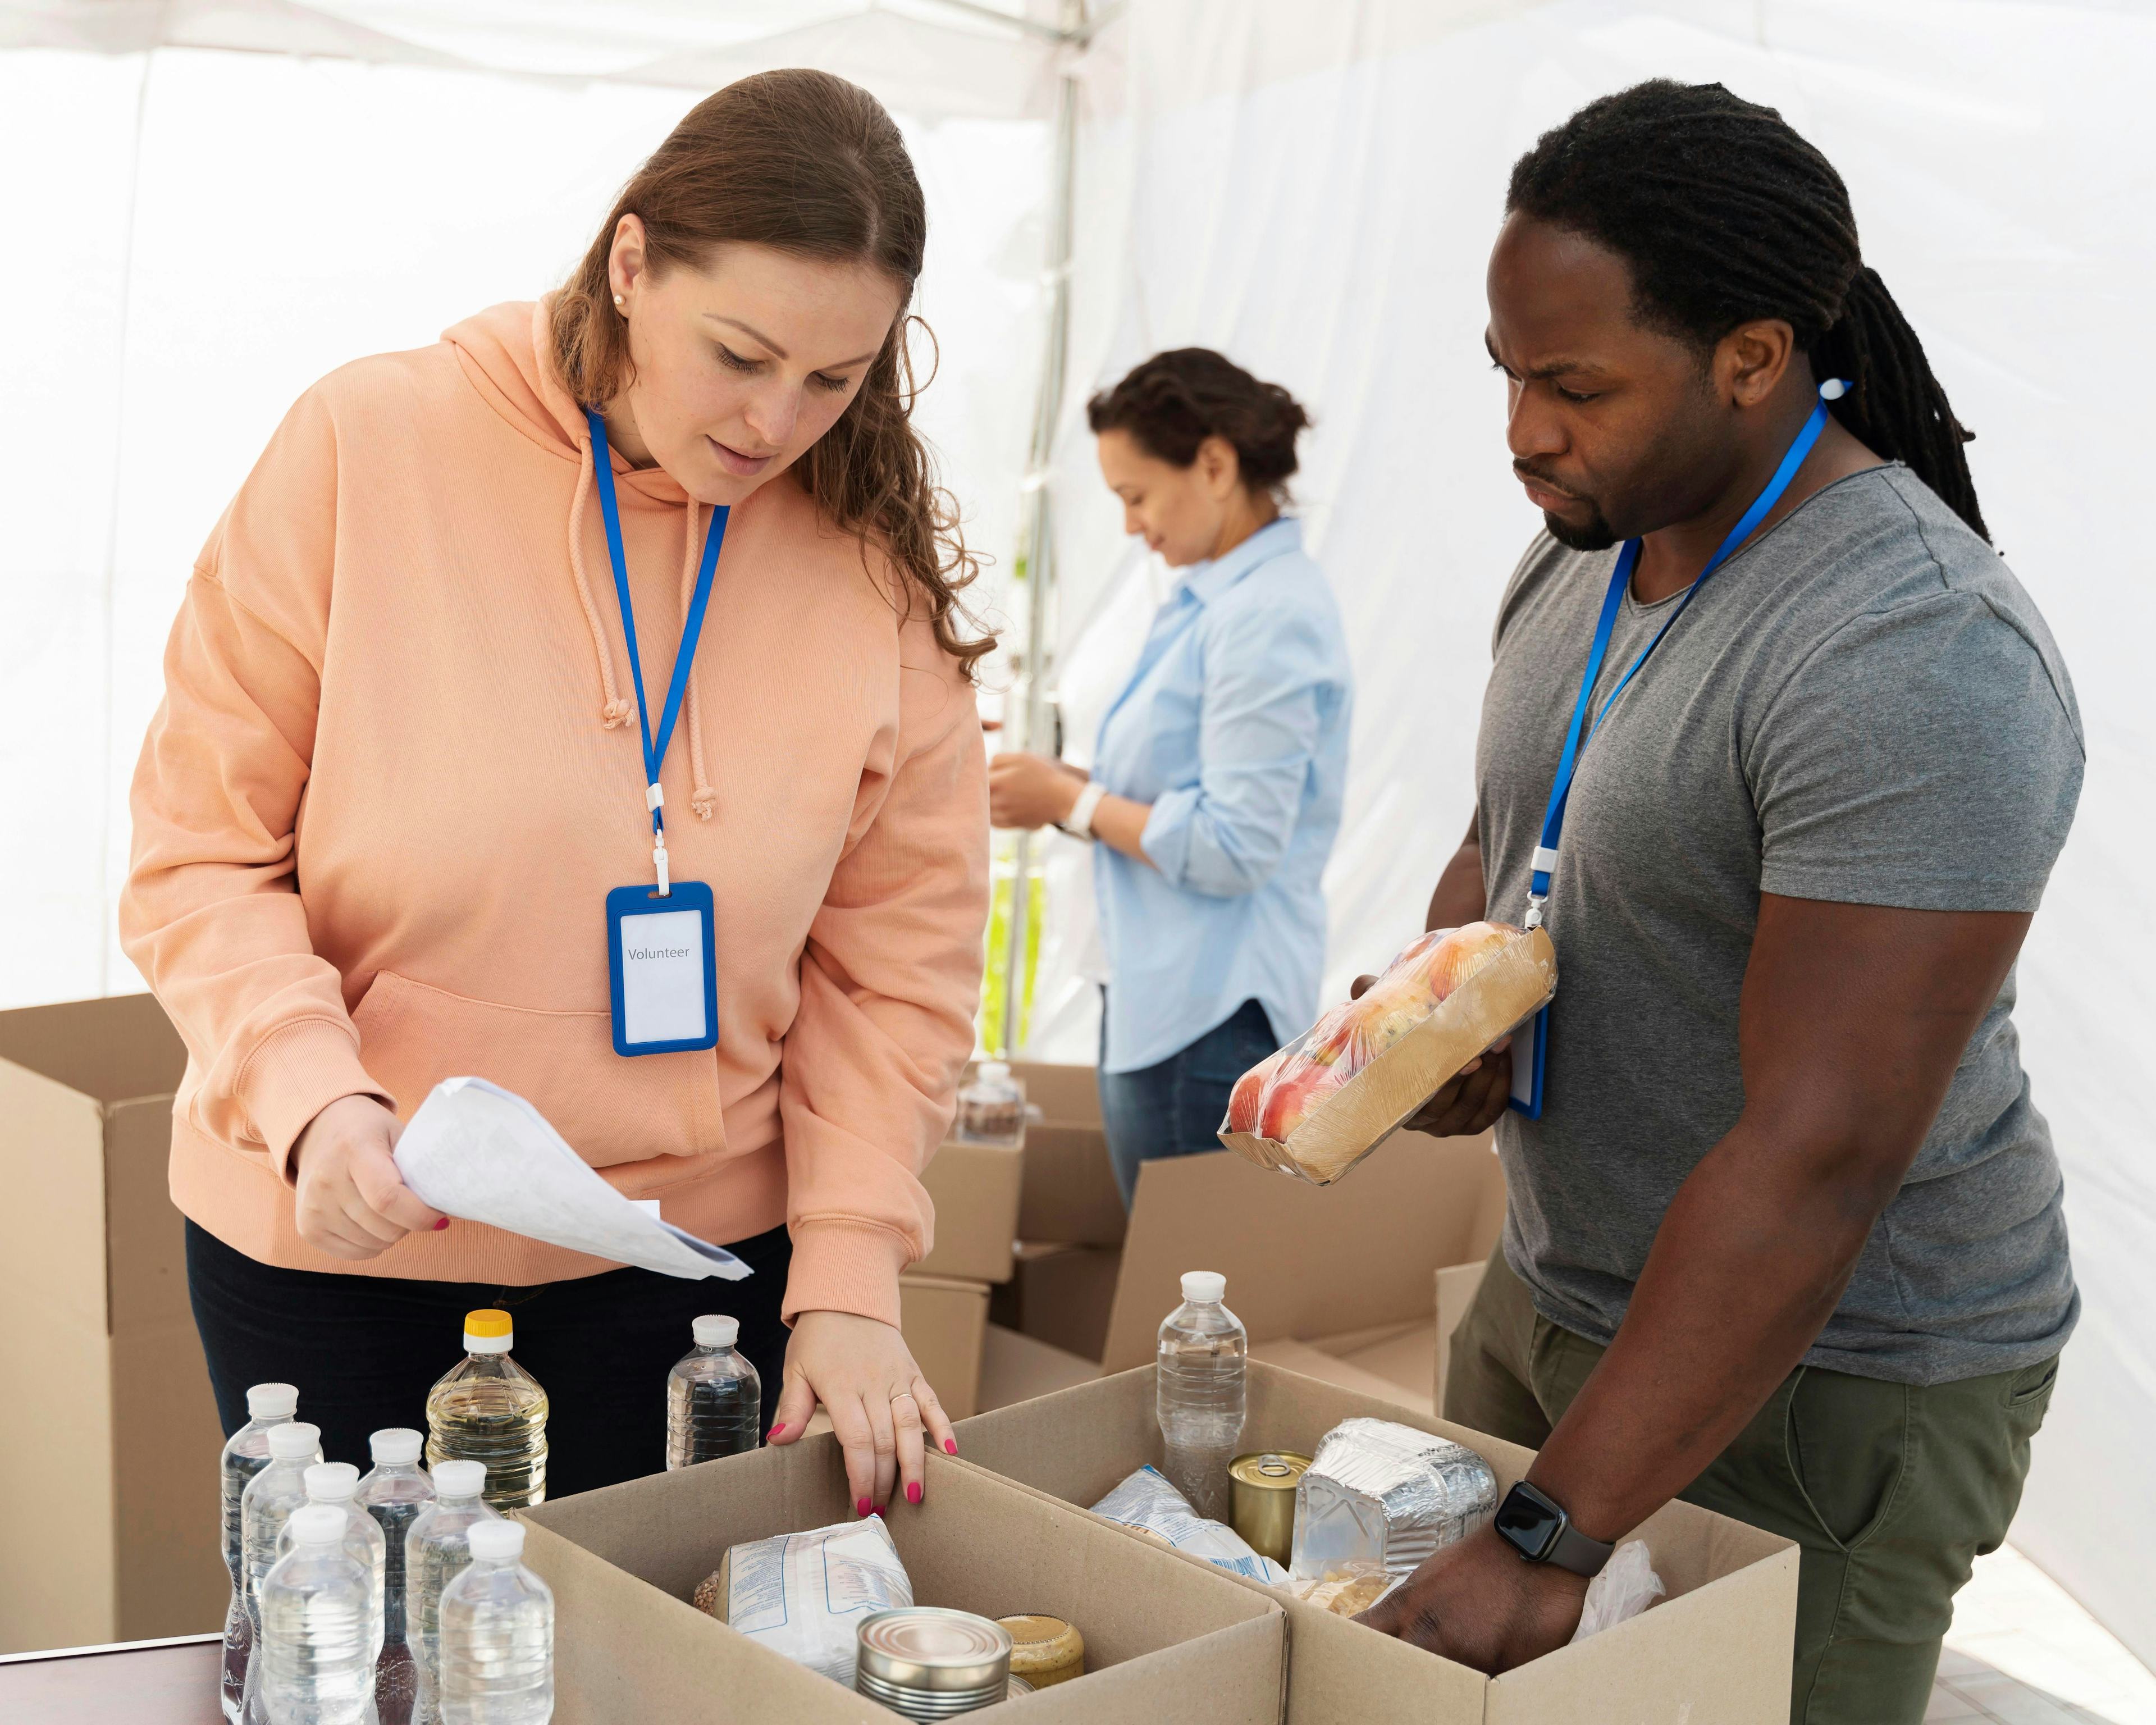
(1387, 1493)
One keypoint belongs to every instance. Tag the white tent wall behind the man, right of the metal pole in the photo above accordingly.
(1314, 189)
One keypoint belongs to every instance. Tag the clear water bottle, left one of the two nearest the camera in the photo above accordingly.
(316, 1664)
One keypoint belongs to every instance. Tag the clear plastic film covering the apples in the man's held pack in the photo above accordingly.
(1277, 1094)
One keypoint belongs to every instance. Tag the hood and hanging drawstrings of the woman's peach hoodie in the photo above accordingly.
(508, 355)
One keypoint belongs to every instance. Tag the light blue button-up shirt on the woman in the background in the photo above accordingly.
(1236, 730)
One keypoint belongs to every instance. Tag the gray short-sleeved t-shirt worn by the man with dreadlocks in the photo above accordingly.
(1860, 706)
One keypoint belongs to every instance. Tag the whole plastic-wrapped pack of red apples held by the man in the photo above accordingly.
(1439, 1004)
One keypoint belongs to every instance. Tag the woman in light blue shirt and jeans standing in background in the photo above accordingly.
(1217, 782)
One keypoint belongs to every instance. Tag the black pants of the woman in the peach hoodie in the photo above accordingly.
(365, 1351)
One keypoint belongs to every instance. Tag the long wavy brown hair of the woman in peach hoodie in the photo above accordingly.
(807, 165)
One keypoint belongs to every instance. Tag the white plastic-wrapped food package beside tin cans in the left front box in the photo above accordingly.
(805, 1595)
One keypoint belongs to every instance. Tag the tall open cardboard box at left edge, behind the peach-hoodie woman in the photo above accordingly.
(111, 1437)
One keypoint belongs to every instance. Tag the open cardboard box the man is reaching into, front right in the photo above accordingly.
(1719, 1648)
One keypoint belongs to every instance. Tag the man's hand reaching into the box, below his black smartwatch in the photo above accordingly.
(1482, 1605)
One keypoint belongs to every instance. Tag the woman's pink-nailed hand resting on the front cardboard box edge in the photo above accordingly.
(879, 1403)
